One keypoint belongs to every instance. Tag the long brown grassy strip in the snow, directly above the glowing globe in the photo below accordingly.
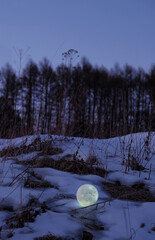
(73, 166)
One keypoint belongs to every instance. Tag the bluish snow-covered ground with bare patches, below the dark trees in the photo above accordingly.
(56, 208)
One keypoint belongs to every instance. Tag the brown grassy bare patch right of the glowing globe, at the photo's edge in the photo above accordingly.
(137, 192)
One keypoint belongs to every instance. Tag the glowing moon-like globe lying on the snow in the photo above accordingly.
(87, 195)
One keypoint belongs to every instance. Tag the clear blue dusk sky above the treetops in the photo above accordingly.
(104, 31)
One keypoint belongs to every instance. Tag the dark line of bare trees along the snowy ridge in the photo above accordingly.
(80, 100)
